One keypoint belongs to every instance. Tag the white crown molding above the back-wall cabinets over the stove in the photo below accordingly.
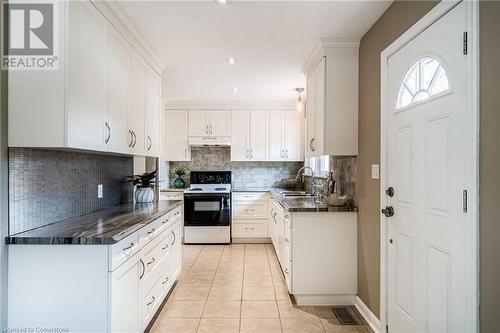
(228, 105)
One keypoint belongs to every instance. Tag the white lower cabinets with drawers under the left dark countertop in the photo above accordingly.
(104, 288)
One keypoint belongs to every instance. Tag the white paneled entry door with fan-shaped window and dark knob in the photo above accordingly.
(429, 166)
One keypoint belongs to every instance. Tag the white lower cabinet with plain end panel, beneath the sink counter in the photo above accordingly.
(317, 252)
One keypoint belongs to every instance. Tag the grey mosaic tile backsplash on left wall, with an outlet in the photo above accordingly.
(47, 186)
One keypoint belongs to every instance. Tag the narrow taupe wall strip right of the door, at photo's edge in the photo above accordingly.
(489, 187)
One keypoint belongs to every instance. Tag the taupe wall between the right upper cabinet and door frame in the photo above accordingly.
(397, 19)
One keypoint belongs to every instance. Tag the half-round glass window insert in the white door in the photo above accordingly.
(425, 78)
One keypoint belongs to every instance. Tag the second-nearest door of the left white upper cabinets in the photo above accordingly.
(119, 85)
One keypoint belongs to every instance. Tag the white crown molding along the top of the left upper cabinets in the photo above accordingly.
(123, 24)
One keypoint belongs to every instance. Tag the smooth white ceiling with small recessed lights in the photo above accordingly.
(270, 40)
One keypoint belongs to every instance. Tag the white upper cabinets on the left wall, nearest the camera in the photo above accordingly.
(104, 96)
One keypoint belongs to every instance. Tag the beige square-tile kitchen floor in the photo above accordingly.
(238, 288)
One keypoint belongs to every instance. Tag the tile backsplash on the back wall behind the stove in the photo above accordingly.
(245, 174)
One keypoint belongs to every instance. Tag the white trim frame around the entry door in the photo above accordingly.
(472, 69)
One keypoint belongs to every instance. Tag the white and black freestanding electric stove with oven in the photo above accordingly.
(207, 208)
